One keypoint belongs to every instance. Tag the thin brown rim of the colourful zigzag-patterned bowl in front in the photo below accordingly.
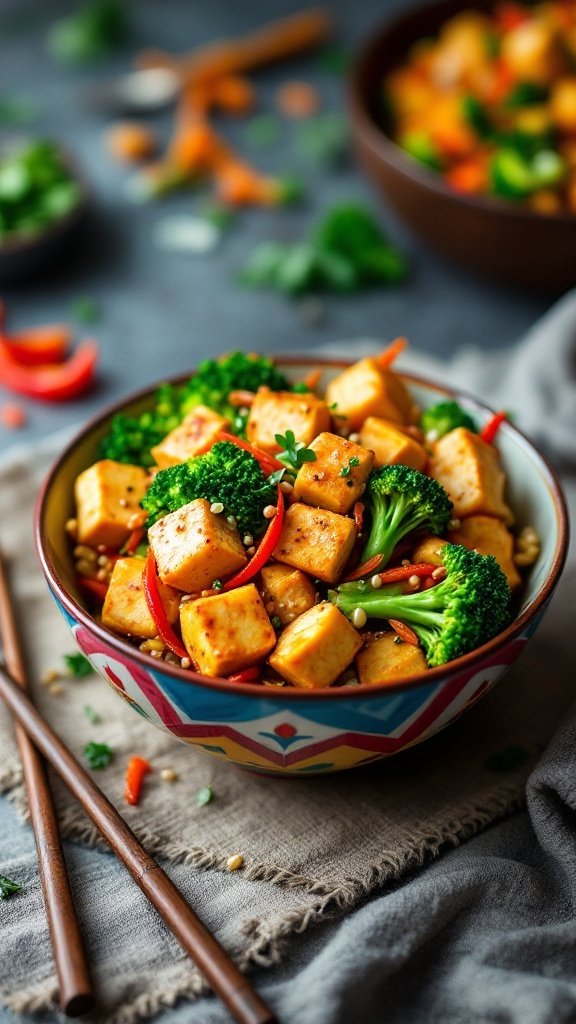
(361, 691)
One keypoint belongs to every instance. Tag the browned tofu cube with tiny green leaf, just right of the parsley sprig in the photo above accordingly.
(322, 483)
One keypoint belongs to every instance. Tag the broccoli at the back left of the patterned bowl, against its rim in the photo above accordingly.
(131, 439)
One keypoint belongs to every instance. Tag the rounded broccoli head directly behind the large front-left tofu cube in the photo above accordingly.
(226, 474)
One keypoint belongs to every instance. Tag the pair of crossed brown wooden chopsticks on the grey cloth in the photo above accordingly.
(36, 738)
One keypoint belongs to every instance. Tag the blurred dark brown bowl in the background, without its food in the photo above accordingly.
(499, 239)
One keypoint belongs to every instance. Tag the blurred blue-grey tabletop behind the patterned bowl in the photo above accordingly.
(158, 296)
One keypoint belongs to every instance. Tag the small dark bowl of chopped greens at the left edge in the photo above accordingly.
(43, 204)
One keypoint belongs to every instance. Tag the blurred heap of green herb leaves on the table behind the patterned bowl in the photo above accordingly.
(348, 251)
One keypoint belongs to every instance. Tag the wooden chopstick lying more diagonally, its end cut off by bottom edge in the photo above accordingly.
(223, 974)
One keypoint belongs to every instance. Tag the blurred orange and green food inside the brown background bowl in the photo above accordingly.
(491, 104)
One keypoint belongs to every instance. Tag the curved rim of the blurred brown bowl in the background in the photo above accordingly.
(387, 150)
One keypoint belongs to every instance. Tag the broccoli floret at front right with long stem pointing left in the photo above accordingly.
(461, 614)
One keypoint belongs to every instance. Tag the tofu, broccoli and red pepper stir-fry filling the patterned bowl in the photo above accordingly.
(256, 530)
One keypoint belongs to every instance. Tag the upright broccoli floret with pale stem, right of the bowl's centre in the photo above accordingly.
(401, 500)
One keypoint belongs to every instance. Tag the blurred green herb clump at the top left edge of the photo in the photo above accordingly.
(90, 34)
